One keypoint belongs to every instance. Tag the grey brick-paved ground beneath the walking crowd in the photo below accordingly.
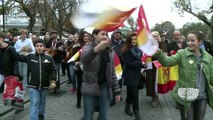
(63, 107)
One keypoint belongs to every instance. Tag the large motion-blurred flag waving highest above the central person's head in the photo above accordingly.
(107, 16)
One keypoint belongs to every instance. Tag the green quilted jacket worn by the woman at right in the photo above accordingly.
(187, 71)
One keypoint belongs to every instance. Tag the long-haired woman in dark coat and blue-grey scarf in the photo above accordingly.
(132, 74)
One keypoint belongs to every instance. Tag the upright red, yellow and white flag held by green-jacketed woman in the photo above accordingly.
(145, 41)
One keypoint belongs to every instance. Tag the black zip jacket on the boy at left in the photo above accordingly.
(41, 70)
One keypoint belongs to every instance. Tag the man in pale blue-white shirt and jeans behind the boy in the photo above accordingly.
(24, 46)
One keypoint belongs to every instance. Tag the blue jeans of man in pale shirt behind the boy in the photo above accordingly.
(22, 69)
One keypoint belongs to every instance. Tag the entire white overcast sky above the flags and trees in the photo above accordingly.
(158, 11)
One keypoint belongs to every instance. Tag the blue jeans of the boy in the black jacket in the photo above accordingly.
(37, 102)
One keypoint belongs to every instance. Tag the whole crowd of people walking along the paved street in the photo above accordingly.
(39, 63)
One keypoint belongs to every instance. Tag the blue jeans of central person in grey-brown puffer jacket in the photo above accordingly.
(90, 102)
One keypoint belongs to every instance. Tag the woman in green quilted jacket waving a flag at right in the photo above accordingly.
(195, 71)
